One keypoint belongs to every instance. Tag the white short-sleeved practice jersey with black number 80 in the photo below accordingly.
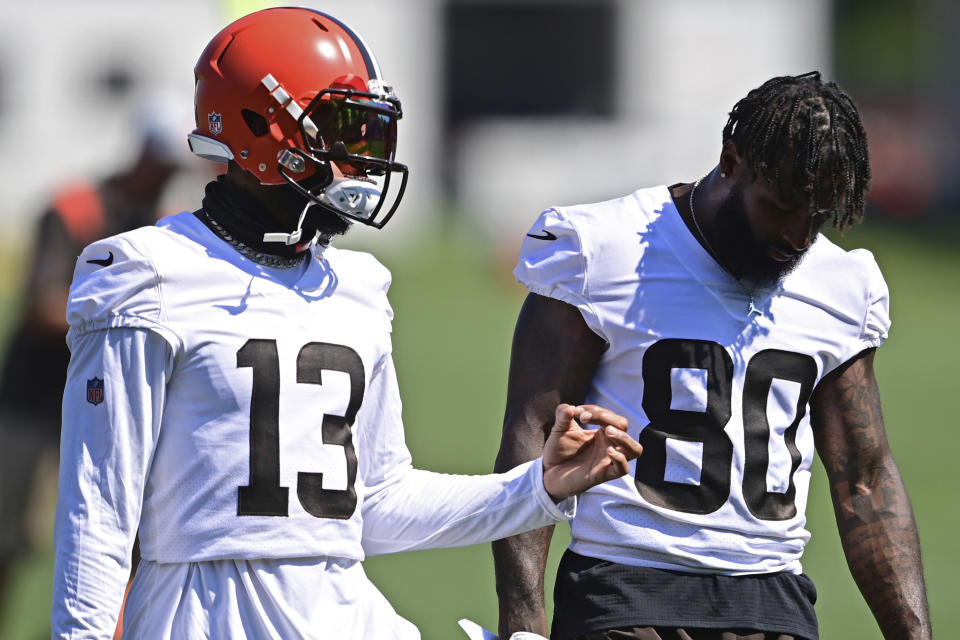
(714, 378)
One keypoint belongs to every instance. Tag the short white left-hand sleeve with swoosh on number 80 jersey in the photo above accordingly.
(553, 263)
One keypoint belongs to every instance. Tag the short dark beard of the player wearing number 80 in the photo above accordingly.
(739, 248)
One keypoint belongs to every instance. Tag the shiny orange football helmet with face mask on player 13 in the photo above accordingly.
(295, 96)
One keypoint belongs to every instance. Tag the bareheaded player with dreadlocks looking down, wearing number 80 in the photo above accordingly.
(738, 341)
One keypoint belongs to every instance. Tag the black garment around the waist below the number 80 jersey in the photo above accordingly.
(596, 595)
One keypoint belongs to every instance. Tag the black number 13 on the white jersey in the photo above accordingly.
(264, 496)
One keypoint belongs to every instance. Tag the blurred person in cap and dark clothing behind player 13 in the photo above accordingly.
(35, 368)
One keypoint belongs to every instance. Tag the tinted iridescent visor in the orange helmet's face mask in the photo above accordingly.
(366, 127)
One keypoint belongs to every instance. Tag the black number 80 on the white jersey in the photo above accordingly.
(707, 427)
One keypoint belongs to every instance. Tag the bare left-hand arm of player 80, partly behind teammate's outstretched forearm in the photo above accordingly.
(553, 360)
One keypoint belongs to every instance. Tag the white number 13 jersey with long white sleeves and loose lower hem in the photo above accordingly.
(247, 421)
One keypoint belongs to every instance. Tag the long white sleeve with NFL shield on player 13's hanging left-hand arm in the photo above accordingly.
(112, 407)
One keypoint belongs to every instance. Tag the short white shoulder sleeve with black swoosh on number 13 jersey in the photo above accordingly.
(116, 284)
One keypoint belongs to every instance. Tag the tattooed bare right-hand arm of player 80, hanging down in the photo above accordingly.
(873, 512)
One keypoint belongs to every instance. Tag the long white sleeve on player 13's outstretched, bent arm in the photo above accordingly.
(406, 509)
